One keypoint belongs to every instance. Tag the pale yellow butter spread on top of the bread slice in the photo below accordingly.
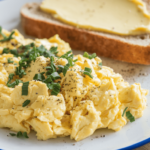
(97, 15)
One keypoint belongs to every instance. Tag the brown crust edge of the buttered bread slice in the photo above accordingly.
(84, 40)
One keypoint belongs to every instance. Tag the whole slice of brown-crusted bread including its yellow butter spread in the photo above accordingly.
(119, 31)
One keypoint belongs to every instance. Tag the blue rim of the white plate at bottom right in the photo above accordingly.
(136, 145)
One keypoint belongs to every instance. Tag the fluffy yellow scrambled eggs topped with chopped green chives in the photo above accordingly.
(45, 88)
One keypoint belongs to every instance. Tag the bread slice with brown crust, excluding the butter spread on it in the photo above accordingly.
(132, 49)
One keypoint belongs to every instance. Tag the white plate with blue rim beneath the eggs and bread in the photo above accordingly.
(131, 136)
